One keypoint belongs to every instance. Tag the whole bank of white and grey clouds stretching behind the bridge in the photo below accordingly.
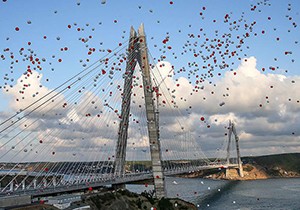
(267, 118)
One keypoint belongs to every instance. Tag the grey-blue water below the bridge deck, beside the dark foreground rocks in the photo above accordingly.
(244, 195)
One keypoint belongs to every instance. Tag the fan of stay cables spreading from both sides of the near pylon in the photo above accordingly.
(68, 136)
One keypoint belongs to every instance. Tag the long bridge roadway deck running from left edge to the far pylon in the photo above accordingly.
(100, 181)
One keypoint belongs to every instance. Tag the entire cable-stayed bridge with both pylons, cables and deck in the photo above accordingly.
(115, 122)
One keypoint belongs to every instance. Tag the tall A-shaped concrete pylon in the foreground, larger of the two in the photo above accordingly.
(138, 53)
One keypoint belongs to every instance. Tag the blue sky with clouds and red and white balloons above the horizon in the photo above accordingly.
(219, 59)
